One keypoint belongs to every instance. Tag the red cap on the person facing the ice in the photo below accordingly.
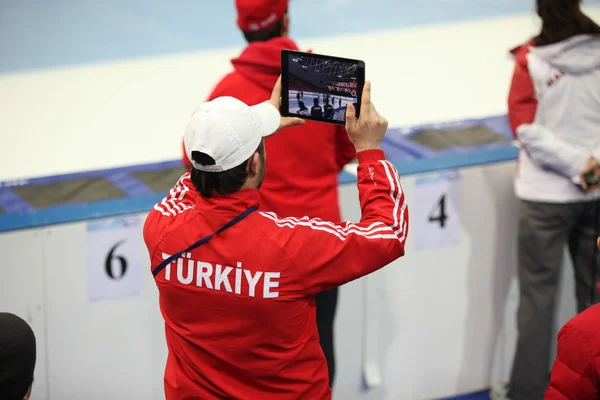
(258, 15)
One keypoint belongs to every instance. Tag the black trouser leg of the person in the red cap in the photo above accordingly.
(326, 305)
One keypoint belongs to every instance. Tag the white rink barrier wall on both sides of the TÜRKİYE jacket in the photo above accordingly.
(433, 323)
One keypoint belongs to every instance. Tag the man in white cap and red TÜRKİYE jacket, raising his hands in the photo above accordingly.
(237, 285)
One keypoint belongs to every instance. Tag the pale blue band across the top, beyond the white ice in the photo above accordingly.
(43, 34)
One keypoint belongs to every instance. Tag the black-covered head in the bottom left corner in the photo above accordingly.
(17, 356)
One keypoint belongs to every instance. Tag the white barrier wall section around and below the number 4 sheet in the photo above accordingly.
(441, 310)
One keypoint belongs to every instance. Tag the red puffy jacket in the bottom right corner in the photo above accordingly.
(576, 370)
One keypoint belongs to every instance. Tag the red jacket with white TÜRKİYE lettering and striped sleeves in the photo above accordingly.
(239, 311)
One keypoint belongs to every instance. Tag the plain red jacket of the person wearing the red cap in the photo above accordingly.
(303, 162)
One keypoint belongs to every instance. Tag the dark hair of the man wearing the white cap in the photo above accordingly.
(225, 182)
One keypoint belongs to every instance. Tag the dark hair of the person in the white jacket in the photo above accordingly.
(561, 20)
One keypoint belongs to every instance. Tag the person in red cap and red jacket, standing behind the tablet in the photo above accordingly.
(301, 179)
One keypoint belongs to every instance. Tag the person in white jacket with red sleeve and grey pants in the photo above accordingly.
(554, 110)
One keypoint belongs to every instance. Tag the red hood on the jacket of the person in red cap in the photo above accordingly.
(261, 61)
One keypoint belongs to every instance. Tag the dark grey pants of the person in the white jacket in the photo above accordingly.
(544, 231)
